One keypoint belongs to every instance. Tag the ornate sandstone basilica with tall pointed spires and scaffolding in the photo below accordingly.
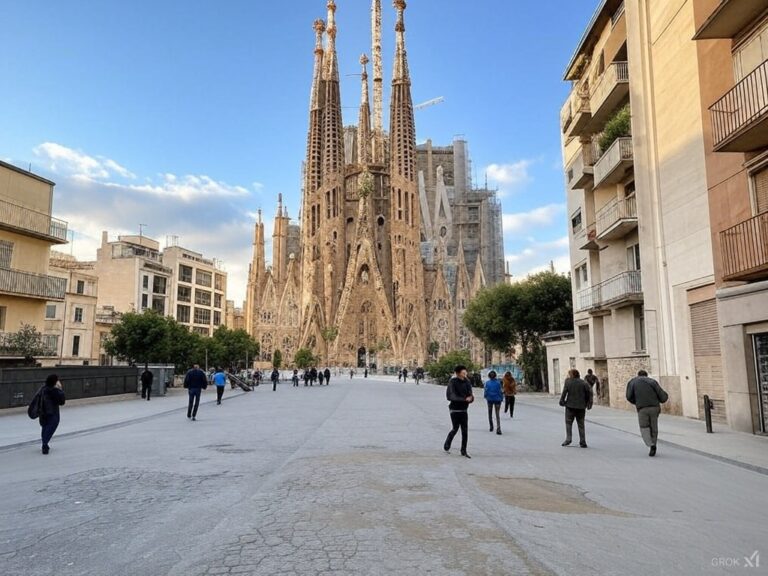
(362, 280)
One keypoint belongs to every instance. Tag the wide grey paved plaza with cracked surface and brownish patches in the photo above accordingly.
(351, 479)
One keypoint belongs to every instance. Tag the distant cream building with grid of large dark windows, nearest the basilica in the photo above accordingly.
(198, 290)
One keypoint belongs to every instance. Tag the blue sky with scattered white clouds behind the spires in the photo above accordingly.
(188, 117)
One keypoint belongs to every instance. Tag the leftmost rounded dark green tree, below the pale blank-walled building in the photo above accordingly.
(140, 338)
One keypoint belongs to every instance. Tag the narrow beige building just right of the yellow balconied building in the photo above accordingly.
(70, 325)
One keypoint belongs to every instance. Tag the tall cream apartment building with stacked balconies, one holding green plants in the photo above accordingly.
(641, 249)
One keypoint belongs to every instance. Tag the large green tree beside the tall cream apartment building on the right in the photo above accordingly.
(511, 315)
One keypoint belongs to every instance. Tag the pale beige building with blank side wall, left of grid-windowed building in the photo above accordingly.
(132, 276)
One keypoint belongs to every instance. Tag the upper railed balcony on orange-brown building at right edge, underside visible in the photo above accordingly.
(740, 118)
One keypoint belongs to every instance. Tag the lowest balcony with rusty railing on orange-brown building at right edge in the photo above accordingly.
(744, 249)
